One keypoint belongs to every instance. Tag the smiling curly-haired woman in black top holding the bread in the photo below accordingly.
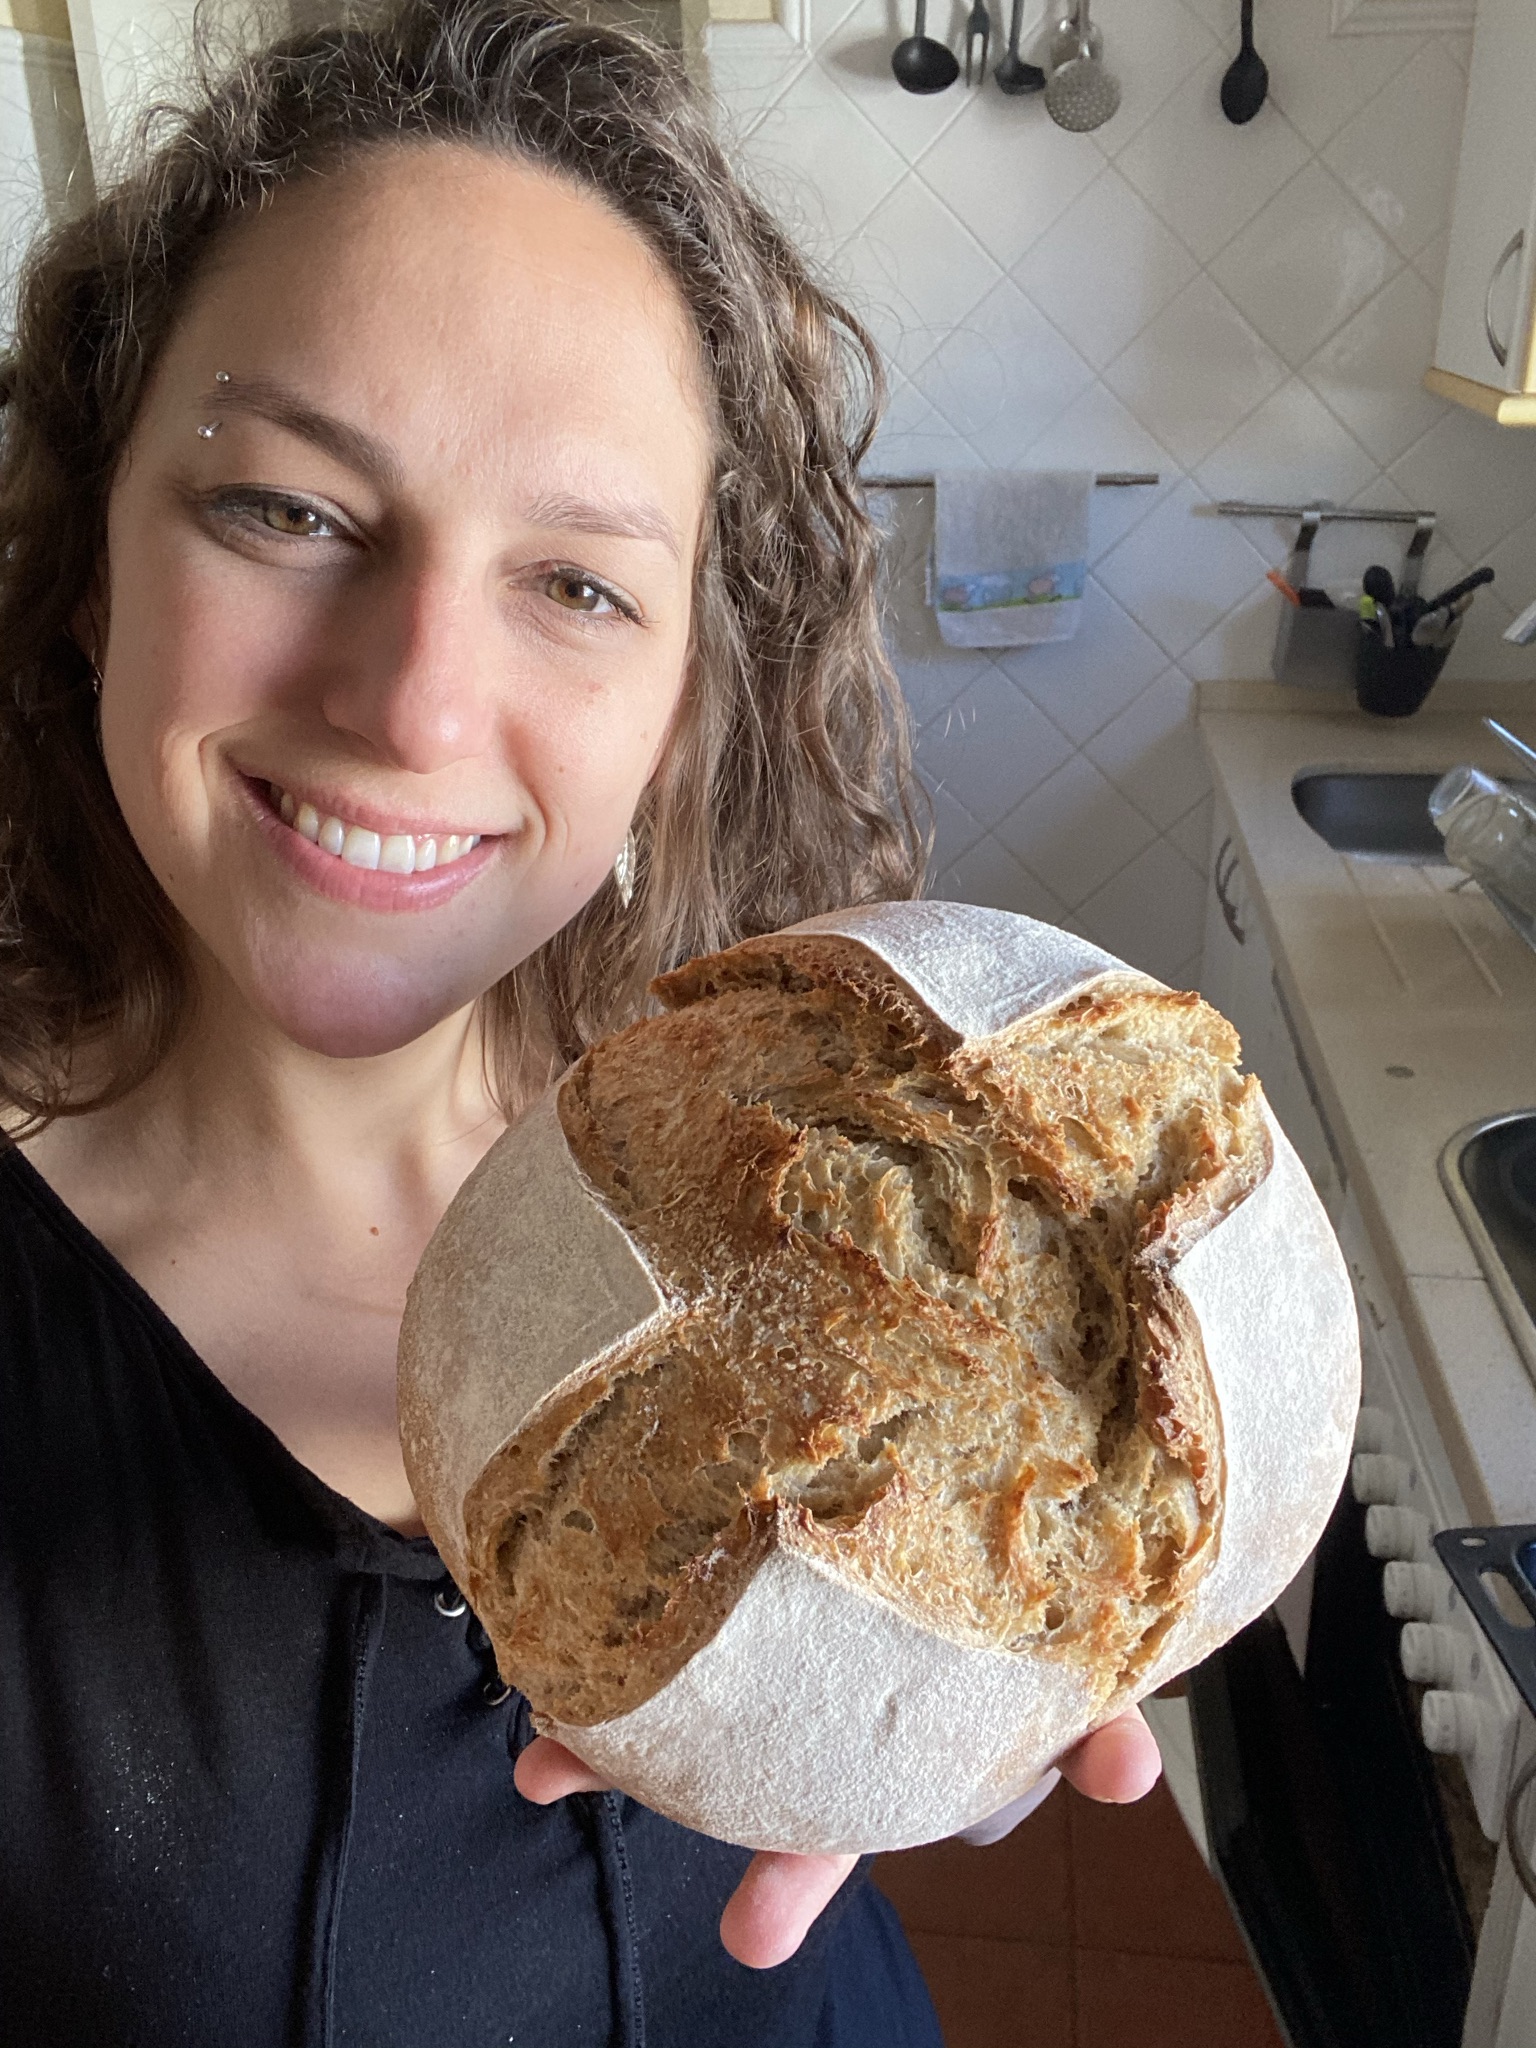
(427, 488)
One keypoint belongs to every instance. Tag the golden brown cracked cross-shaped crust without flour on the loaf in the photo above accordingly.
(927, 1330)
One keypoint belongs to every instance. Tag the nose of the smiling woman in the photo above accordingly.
(417, 681)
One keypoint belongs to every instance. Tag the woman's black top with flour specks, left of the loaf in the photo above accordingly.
(257, 1762)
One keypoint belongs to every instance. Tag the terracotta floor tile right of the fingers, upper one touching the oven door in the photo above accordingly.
(1142, 1885)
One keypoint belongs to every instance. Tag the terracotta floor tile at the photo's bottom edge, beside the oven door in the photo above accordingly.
(1170, 2002)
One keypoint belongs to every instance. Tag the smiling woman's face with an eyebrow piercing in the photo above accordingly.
(398, 585)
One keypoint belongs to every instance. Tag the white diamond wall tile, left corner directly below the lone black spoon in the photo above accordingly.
(1306, 265)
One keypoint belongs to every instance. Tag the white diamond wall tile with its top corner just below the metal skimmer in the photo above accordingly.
(1105, 269)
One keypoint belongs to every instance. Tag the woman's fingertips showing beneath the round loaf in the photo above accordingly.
(773, 1908)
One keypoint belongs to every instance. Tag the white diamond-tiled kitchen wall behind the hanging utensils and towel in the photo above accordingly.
(1244, 310)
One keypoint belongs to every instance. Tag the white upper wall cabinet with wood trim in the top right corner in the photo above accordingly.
(1486, 351)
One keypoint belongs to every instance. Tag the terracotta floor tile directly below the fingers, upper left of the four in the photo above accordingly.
(1019, 1889)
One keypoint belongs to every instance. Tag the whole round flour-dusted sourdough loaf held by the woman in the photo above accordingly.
(853, 1385)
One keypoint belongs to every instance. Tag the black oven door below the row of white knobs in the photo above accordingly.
(1326, 1820)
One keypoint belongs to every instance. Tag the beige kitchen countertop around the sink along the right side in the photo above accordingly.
(1416, 1013)
